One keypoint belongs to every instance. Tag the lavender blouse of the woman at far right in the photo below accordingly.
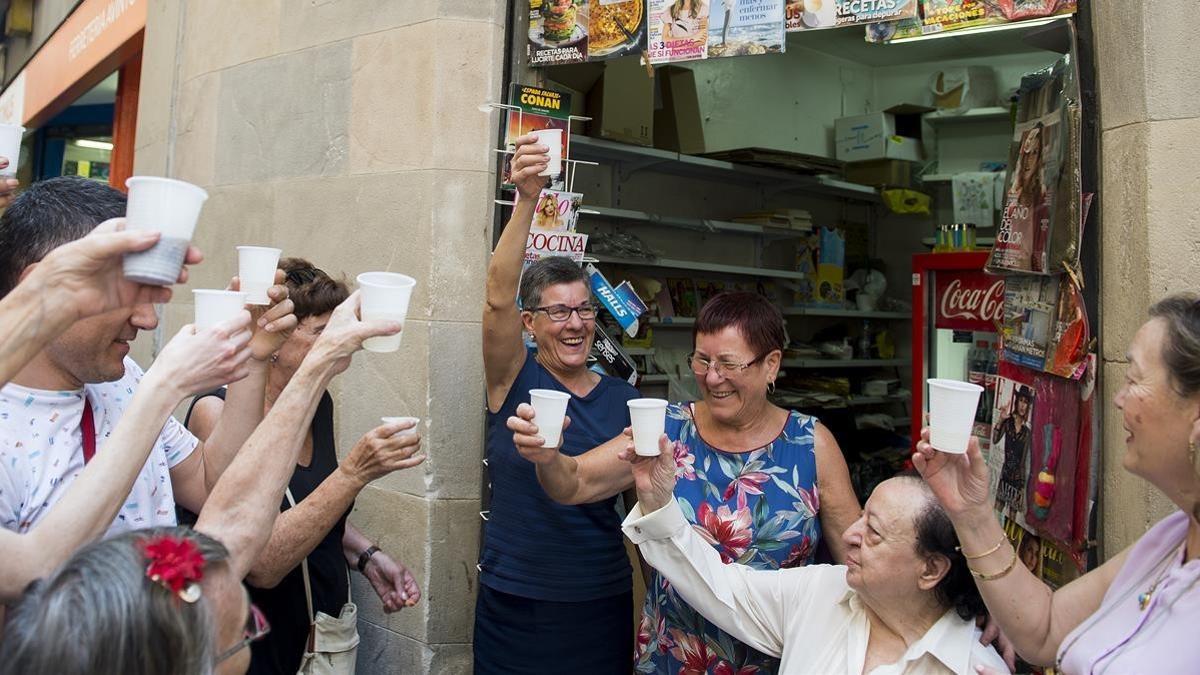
(1162, 638)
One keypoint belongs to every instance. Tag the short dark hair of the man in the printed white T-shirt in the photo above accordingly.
(49, 214)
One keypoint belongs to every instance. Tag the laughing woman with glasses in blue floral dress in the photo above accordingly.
(748, 474)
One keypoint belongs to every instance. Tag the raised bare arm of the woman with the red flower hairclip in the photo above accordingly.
(245, 503)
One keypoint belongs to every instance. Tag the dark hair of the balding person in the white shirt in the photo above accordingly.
(935, 536)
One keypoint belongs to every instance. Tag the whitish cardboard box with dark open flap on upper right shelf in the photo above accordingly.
(891, 135)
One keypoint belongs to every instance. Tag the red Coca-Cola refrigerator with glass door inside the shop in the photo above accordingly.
(958, 310)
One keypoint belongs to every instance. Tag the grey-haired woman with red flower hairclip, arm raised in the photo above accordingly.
(171, 601)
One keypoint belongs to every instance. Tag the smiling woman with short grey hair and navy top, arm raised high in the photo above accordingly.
(535, 549)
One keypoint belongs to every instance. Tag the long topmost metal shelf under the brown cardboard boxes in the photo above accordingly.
(691, 166)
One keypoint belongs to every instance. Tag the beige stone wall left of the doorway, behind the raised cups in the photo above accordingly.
(347, 133)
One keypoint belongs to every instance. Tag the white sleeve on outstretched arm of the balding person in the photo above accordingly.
(753, 606)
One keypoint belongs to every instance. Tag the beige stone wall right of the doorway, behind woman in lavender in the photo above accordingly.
(1150, 196)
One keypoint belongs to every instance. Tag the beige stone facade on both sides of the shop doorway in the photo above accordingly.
(346, 132)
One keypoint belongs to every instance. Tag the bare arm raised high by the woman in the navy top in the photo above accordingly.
(503, 351)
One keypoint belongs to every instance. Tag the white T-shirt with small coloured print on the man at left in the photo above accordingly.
(41, 453)
